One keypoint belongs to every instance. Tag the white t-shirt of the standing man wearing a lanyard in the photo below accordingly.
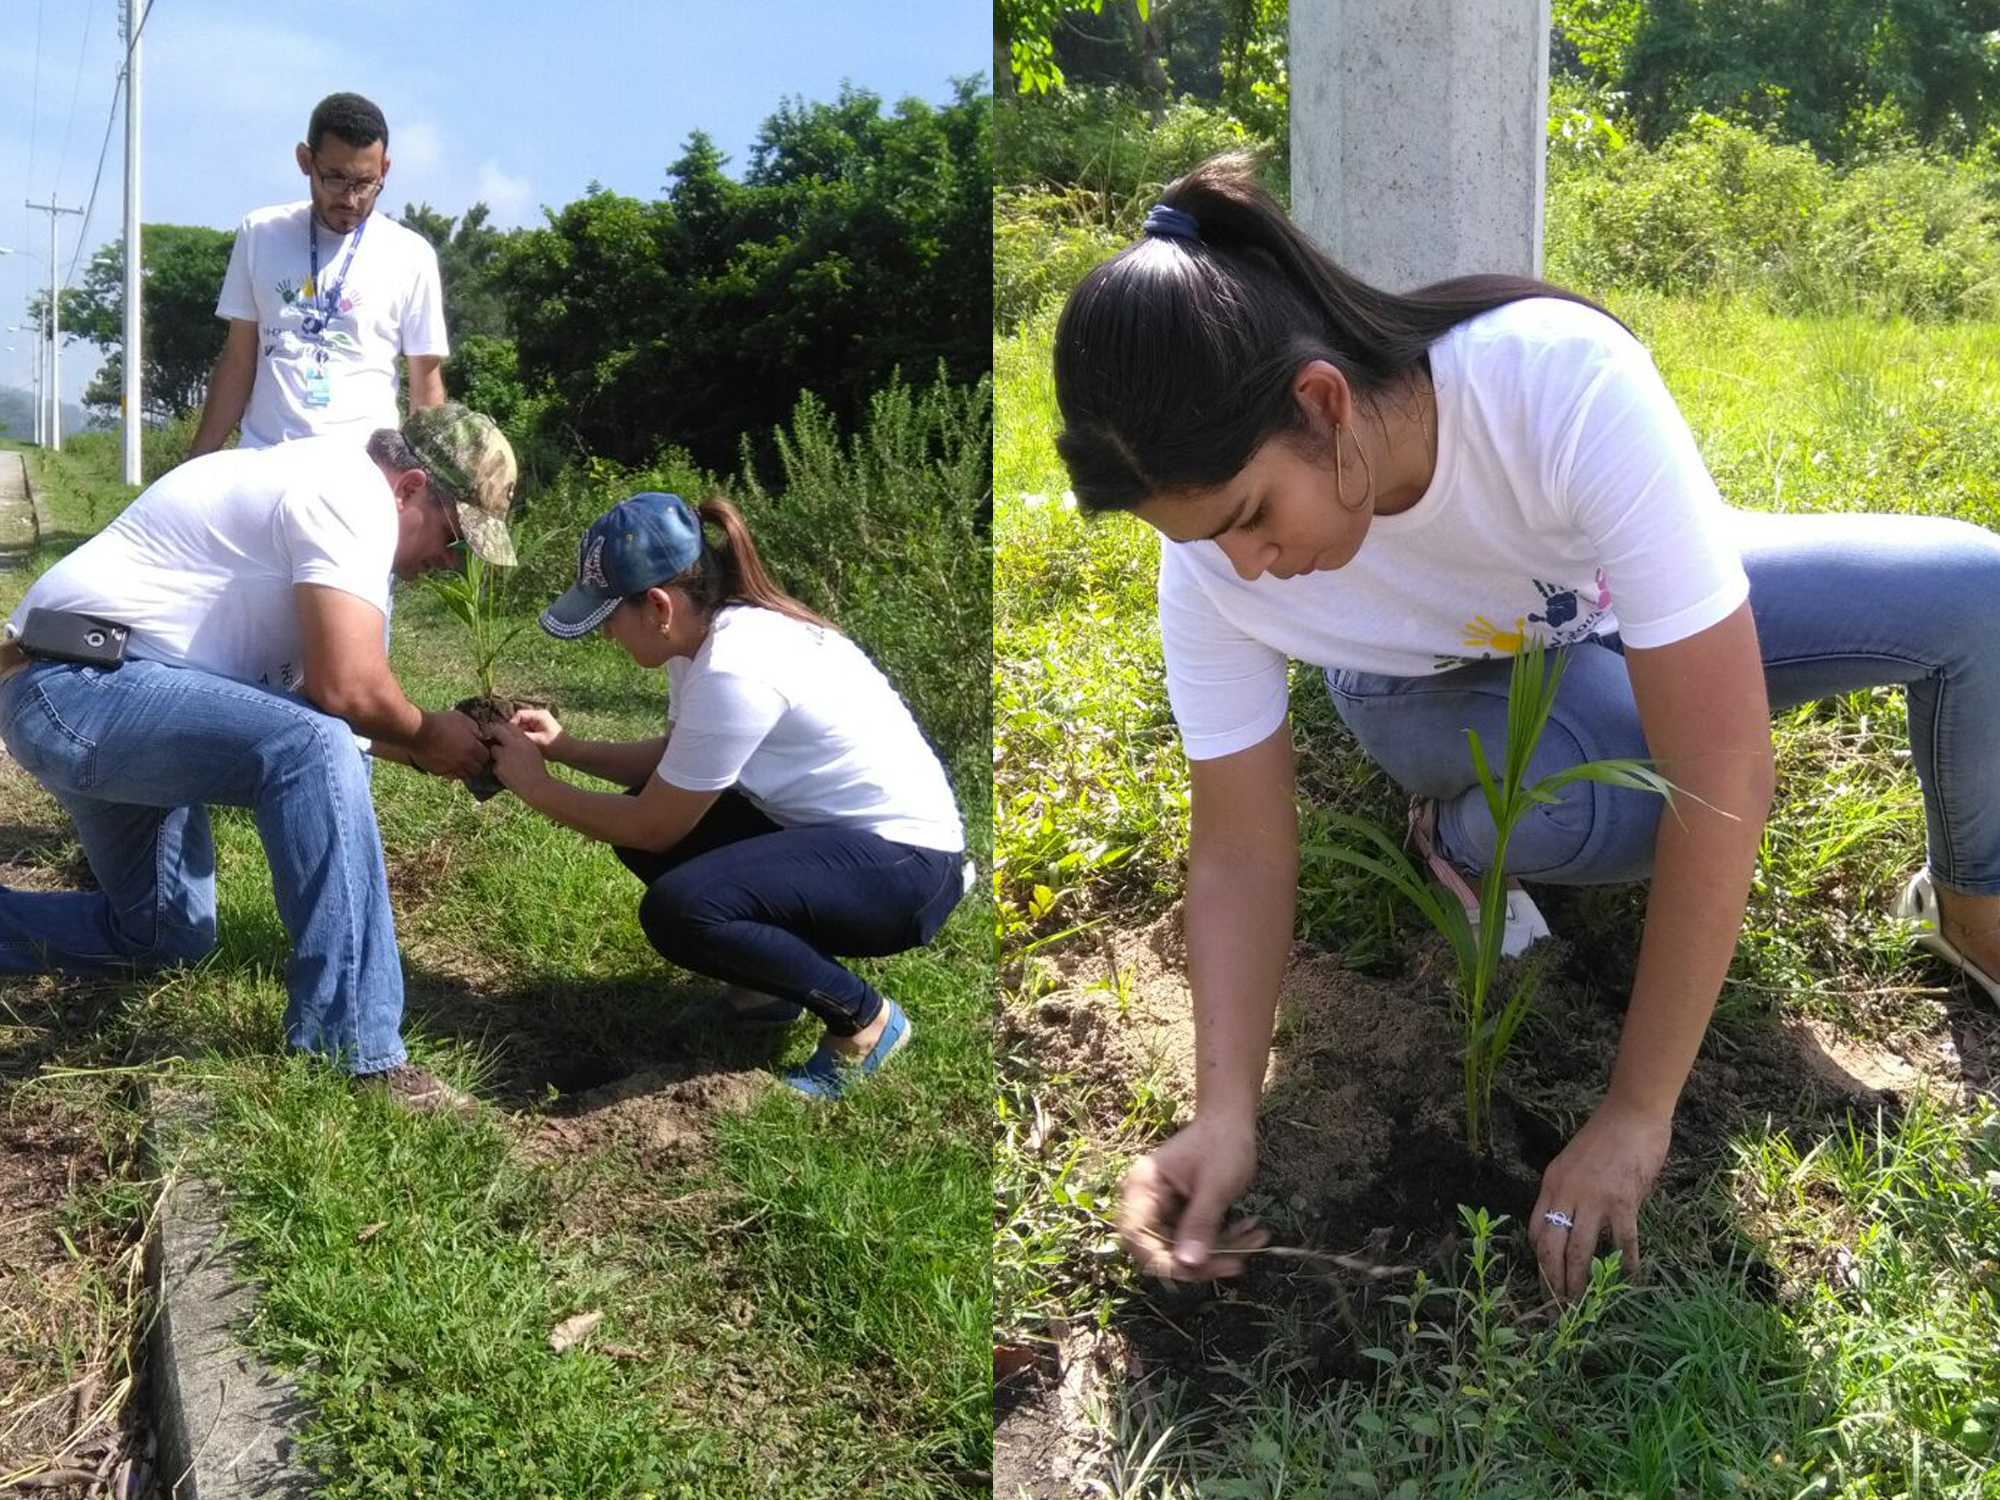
(327, 355)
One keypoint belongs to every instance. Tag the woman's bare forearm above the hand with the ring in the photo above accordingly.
(1695, 915)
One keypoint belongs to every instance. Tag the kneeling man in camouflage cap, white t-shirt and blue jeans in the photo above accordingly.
(255, 593)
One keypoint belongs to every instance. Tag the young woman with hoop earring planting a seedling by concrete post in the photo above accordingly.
(1405, 491)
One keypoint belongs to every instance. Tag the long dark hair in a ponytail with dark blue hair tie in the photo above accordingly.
(1175, 359)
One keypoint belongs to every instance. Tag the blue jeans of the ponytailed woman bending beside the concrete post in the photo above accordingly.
(1841, 603)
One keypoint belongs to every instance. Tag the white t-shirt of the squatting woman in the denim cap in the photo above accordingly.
(809, 729)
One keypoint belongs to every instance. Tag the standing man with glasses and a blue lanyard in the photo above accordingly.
(321, 297)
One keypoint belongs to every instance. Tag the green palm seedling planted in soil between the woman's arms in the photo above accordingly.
(1489, 1027)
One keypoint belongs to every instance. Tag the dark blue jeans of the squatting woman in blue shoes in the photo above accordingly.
(765, 907)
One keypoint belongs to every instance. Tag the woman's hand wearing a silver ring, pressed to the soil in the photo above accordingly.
(1599, 1181)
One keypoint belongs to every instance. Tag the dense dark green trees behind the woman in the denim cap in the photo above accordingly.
(857, 243)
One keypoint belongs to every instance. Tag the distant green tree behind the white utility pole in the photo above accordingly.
(183, 269)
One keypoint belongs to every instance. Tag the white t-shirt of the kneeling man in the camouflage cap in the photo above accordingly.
(203, 565)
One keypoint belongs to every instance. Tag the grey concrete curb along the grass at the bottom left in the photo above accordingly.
(227, 1421)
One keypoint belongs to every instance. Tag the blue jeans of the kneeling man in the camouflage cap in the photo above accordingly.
(137, 757)
